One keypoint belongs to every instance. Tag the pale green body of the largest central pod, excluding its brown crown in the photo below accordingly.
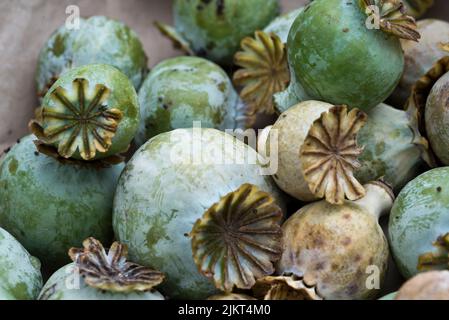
(163, 191)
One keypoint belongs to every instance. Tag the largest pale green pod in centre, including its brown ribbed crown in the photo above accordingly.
(169, 184)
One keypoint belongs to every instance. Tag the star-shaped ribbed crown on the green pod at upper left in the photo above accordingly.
(77, 118)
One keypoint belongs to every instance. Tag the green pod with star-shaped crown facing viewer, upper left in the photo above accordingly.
(90, 113)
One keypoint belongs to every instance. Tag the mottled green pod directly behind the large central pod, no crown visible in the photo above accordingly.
(182, 90)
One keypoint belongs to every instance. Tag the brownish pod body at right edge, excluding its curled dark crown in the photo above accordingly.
(437, 119)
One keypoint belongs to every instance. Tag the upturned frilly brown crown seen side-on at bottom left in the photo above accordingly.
(110, 271)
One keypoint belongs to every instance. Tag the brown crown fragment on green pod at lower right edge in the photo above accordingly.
(436, 260)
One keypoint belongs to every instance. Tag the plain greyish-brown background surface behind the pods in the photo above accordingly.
(26, 24)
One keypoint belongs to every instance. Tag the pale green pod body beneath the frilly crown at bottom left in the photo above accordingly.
(67, 284)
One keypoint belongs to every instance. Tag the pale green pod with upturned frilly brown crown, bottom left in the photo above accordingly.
(97, 275)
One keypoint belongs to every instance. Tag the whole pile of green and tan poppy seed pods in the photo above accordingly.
(301, 155)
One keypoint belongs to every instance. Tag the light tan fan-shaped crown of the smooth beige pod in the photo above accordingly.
(329, 155)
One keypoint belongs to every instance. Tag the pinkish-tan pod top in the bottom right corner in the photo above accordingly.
(432, 285)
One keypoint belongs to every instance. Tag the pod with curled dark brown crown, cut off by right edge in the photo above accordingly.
(429, 101)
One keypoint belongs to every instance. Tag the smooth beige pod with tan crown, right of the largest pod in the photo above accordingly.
(317, 151)
